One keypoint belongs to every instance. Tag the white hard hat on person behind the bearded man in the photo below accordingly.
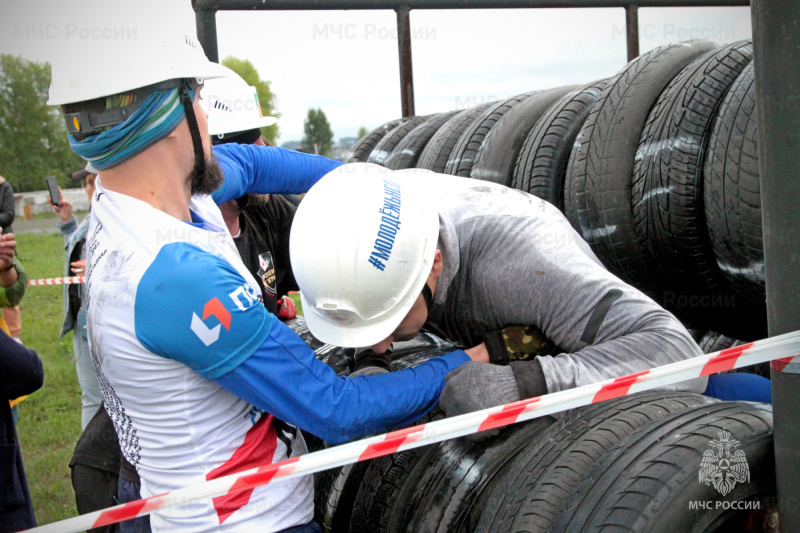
(232, 105)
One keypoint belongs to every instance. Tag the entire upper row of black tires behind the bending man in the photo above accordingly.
(656, 168)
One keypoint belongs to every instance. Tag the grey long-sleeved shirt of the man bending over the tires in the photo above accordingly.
(510, 258)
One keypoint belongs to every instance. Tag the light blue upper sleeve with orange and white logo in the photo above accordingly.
(195, 308)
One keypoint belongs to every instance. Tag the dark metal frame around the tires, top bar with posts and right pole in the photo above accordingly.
(776, 32)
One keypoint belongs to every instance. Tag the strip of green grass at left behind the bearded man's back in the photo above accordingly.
(50, 419)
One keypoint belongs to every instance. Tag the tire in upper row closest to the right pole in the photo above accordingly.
(732, 195)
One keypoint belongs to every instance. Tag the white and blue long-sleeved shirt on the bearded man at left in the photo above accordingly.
(192, 367)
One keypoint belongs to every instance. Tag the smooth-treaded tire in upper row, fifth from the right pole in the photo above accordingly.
(498, 154)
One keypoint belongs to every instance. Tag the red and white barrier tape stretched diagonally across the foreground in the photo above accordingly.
(781, 350)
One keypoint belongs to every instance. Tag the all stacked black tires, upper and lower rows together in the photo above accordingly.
(657, 169)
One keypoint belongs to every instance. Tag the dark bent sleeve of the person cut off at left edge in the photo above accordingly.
(21, 369)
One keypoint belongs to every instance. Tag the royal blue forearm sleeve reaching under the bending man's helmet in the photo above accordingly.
(284, 378)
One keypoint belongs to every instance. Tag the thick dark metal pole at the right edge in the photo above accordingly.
(776, 40)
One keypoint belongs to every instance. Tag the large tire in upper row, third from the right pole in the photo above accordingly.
(598, 182)
